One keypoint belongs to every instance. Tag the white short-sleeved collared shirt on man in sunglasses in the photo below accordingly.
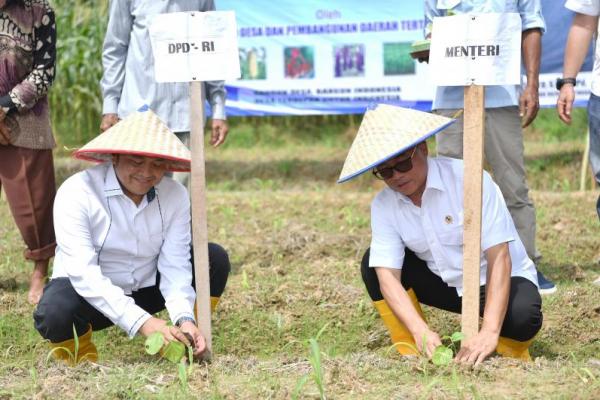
(434, 231)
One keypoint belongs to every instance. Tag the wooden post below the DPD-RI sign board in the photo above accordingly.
(199, 217)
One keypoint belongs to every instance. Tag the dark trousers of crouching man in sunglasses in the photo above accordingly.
(523, 317)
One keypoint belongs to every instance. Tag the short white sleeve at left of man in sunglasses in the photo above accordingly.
(387, 247)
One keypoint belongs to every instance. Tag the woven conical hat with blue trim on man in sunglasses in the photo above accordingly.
(385, 132)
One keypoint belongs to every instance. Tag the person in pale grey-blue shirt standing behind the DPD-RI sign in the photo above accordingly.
(128, 80)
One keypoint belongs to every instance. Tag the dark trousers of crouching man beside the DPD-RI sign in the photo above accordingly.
(61, 308)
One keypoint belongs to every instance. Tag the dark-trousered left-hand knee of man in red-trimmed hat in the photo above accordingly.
(56, 312)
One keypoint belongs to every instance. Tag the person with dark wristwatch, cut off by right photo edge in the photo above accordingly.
(583, 29)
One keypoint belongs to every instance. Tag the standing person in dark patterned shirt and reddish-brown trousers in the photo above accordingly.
(27, 59)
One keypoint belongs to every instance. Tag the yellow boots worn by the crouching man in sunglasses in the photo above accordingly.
(405, 344)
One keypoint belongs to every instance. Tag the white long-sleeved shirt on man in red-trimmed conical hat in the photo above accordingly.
(108, 246)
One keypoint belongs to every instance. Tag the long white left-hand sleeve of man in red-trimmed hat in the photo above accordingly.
(73, 236)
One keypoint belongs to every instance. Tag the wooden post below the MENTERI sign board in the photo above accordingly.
(473, 139)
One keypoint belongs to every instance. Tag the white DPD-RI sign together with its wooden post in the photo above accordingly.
(196, 47)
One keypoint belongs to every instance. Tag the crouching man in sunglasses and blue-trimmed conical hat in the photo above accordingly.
(417, 241)
